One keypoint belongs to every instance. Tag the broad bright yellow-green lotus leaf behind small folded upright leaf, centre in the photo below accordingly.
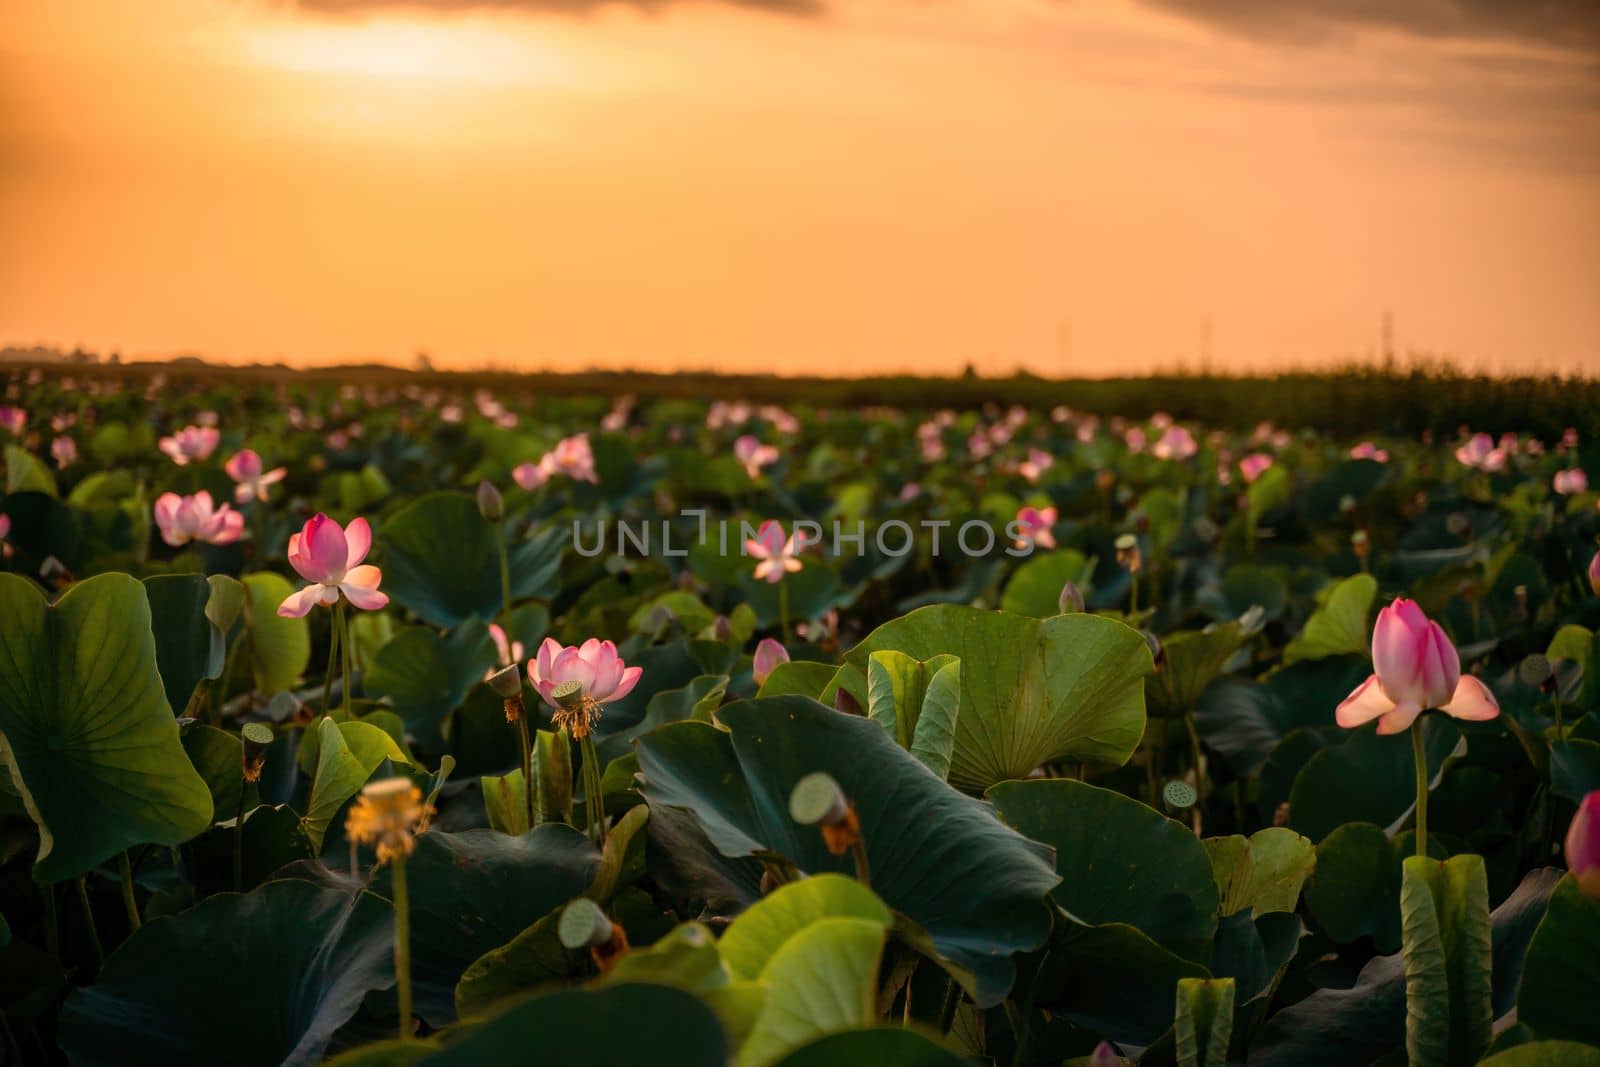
(1033, 690)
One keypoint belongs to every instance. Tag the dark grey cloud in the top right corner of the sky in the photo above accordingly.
(1562, 23)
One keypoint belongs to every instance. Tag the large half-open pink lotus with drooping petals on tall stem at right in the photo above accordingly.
(1415, 668)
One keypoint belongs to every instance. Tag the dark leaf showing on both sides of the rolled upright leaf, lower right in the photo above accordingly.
(1366, 1023)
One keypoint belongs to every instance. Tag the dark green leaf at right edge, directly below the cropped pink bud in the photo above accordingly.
(1562, 970)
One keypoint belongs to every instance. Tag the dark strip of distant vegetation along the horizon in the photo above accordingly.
(1345, 402)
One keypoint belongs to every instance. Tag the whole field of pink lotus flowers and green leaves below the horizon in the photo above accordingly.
(414, 724)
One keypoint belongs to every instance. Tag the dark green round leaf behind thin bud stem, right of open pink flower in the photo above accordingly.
(441, 559)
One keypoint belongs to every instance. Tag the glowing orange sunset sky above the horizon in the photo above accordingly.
(878, 185)
